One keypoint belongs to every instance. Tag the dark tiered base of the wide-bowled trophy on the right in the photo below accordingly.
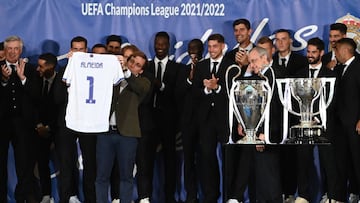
(307, 135)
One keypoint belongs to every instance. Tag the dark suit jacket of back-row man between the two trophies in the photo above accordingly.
(296, 63)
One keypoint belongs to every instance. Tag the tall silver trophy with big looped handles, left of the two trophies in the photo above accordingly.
(249, 101)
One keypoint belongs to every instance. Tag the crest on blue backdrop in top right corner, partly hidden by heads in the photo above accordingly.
(353, 28)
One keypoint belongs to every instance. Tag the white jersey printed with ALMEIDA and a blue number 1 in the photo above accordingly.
(90, 78)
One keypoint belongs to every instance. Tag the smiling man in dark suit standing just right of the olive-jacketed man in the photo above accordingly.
(164, 114)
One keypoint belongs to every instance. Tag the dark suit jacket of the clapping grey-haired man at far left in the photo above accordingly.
(26, 96)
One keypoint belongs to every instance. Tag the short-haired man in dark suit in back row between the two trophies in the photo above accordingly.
(288, 64)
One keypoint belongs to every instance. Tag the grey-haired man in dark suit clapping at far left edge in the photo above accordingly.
(19, 94)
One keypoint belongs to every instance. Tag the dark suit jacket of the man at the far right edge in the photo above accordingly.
(348, 95)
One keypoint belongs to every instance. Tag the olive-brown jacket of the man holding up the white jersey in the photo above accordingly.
(126, 105)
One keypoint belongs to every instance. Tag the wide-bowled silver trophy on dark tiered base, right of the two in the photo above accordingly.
(308, 92)
